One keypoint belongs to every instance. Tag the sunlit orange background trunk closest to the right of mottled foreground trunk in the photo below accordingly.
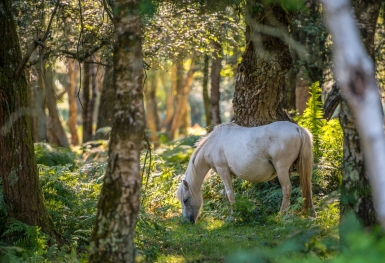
(152, 114)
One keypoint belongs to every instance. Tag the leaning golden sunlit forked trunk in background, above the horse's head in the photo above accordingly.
(183, 85)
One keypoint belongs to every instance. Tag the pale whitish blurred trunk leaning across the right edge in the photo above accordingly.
(354, 71)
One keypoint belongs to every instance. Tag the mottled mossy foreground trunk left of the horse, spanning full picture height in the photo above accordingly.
(114, 232)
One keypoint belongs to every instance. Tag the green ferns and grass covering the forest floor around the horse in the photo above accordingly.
(255, 232)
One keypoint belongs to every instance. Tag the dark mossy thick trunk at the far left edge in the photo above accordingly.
(20, 179)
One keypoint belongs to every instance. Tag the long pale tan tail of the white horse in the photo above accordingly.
(305, 167)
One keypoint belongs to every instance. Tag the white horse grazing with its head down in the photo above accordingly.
(255, 154)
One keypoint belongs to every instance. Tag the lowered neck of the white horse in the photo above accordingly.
(196, 172)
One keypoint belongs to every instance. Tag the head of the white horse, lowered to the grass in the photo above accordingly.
(191, 204)
